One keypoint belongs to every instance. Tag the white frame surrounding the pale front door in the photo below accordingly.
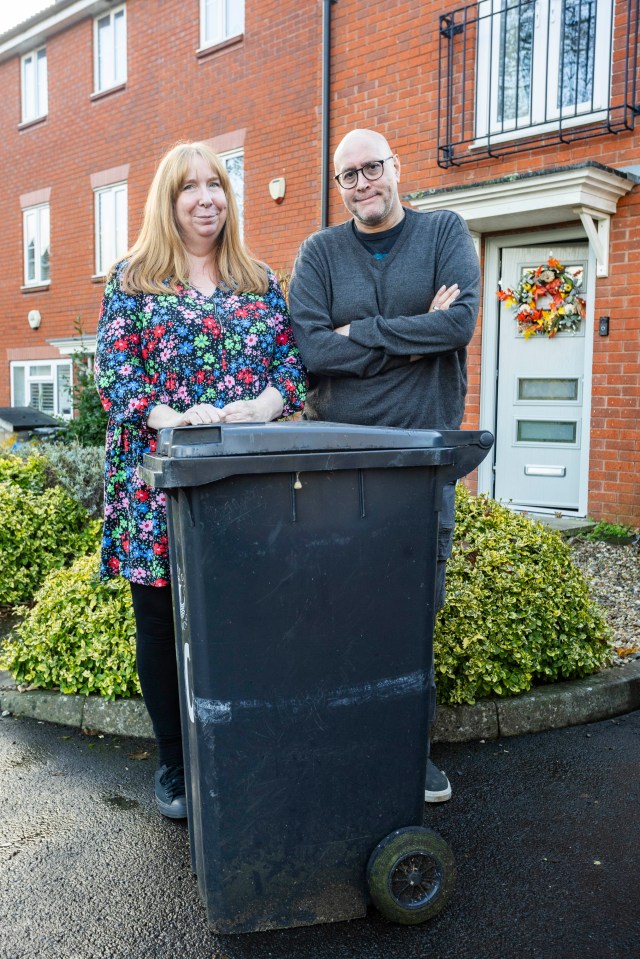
(489, 351)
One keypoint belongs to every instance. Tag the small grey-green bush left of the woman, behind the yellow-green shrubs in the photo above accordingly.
(80, 470)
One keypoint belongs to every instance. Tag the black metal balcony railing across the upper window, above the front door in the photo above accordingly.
(518, 75)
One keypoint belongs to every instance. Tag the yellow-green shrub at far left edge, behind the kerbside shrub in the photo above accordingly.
(39, 531)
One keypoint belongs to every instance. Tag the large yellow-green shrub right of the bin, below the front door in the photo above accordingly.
(518, 611)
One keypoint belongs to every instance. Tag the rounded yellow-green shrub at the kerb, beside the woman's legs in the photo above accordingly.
(79, 636)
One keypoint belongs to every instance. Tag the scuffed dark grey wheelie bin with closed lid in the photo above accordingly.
(303, 564)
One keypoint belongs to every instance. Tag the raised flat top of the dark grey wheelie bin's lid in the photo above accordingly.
(250, 439)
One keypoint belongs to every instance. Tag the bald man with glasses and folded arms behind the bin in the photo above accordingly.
(383, 308)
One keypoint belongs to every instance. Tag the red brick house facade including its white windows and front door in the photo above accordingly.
(538, 158)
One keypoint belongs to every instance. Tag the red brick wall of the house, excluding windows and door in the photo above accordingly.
(384, 75)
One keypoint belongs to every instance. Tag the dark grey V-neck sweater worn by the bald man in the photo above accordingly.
(367, 378)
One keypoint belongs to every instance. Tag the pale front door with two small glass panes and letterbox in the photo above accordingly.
(540, 428)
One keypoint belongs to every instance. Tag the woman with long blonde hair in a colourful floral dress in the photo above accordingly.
(192, 330)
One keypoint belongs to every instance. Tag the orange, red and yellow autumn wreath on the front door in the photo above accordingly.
(546, 300)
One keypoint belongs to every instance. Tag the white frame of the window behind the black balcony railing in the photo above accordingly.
(548, 15)
